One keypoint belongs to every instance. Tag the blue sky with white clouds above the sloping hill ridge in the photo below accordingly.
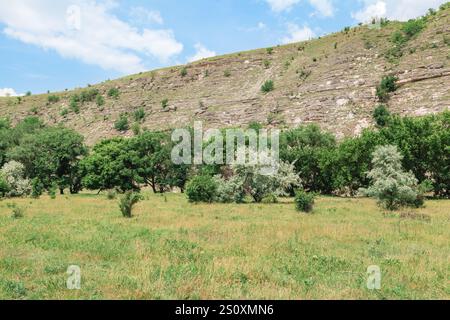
(48, 45)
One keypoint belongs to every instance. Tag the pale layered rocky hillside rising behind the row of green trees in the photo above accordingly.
(329, 81)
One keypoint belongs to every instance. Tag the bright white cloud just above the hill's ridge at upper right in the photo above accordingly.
(394, 9)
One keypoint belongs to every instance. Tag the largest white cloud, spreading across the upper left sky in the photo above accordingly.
(86, 30)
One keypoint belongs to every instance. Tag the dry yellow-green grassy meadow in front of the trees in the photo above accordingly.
(175, 250)
